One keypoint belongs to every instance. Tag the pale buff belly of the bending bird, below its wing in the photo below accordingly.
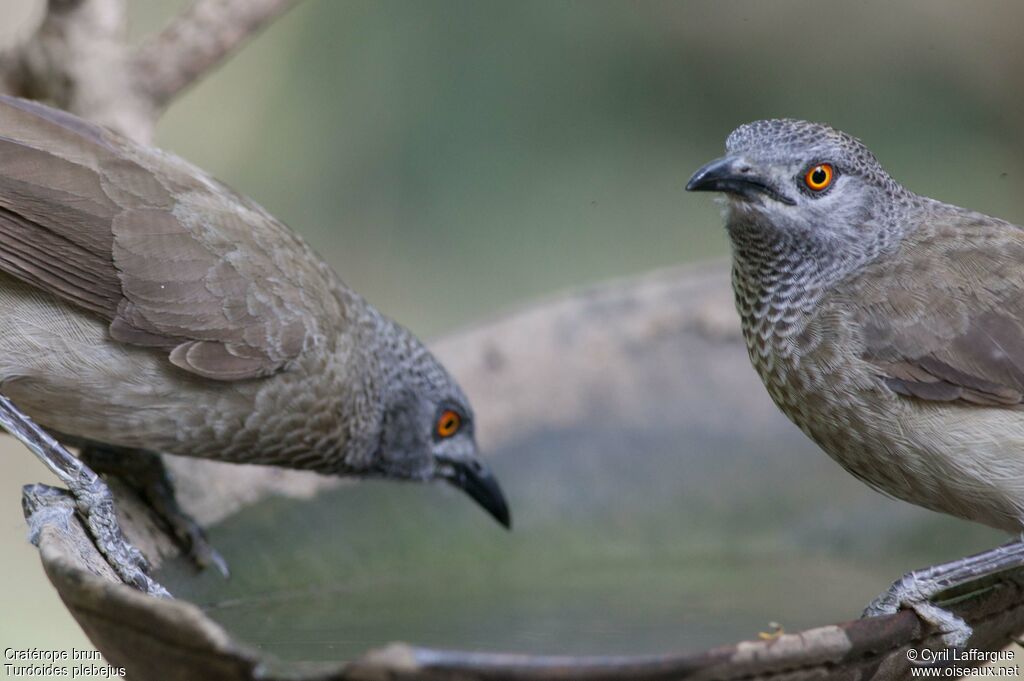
(59, 366)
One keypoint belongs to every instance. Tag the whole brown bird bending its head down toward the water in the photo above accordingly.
(146, 308)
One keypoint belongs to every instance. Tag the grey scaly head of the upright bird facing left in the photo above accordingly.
(804, 185)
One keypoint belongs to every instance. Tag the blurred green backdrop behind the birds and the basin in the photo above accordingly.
(453, 159)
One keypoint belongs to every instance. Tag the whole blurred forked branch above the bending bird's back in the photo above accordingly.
(78, 59)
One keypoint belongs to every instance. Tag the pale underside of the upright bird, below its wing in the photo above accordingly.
(942, 457)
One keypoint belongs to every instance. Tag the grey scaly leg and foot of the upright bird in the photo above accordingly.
(916, 590)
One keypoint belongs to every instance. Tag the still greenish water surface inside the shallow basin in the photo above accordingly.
(626, 542)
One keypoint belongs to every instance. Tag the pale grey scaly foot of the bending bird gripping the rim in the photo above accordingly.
(95, 505)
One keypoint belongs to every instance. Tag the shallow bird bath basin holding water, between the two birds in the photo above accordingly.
(663, 510)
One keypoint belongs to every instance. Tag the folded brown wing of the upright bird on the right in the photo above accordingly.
(945, 320)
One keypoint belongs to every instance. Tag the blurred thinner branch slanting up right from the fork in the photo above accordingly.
(196, 42)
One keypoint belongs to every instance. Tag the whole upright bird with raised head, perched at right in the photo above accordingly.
(888, 326)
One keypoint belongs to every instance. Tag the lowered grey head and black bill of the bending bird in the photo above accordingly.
(426, 431)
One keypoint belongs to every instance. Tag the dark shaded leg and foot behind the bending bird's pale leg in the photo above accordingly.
(146, 474)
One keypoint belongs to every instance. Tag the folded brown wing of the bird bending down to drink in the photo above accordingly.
(170, 258)
